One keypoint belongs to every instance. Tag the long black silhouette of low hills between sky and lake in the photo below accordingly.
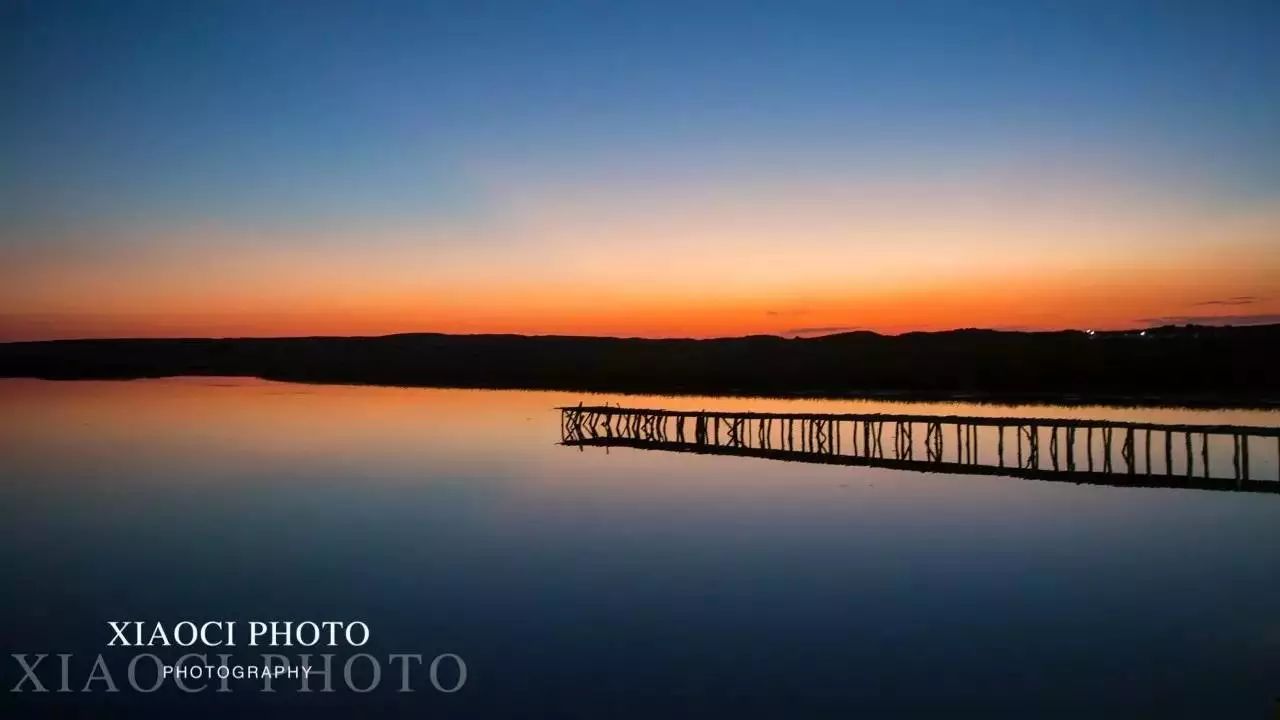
(1183, 364)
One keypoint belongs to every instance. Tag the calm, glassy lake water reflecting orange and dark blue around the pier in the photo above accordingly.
(592, 582)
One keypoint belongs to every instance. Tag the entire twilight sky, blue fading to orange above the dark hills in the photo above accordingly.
(660, 170)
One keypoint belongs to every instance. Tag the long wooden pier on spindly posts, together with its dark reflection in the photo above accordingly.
(1084, 452)
